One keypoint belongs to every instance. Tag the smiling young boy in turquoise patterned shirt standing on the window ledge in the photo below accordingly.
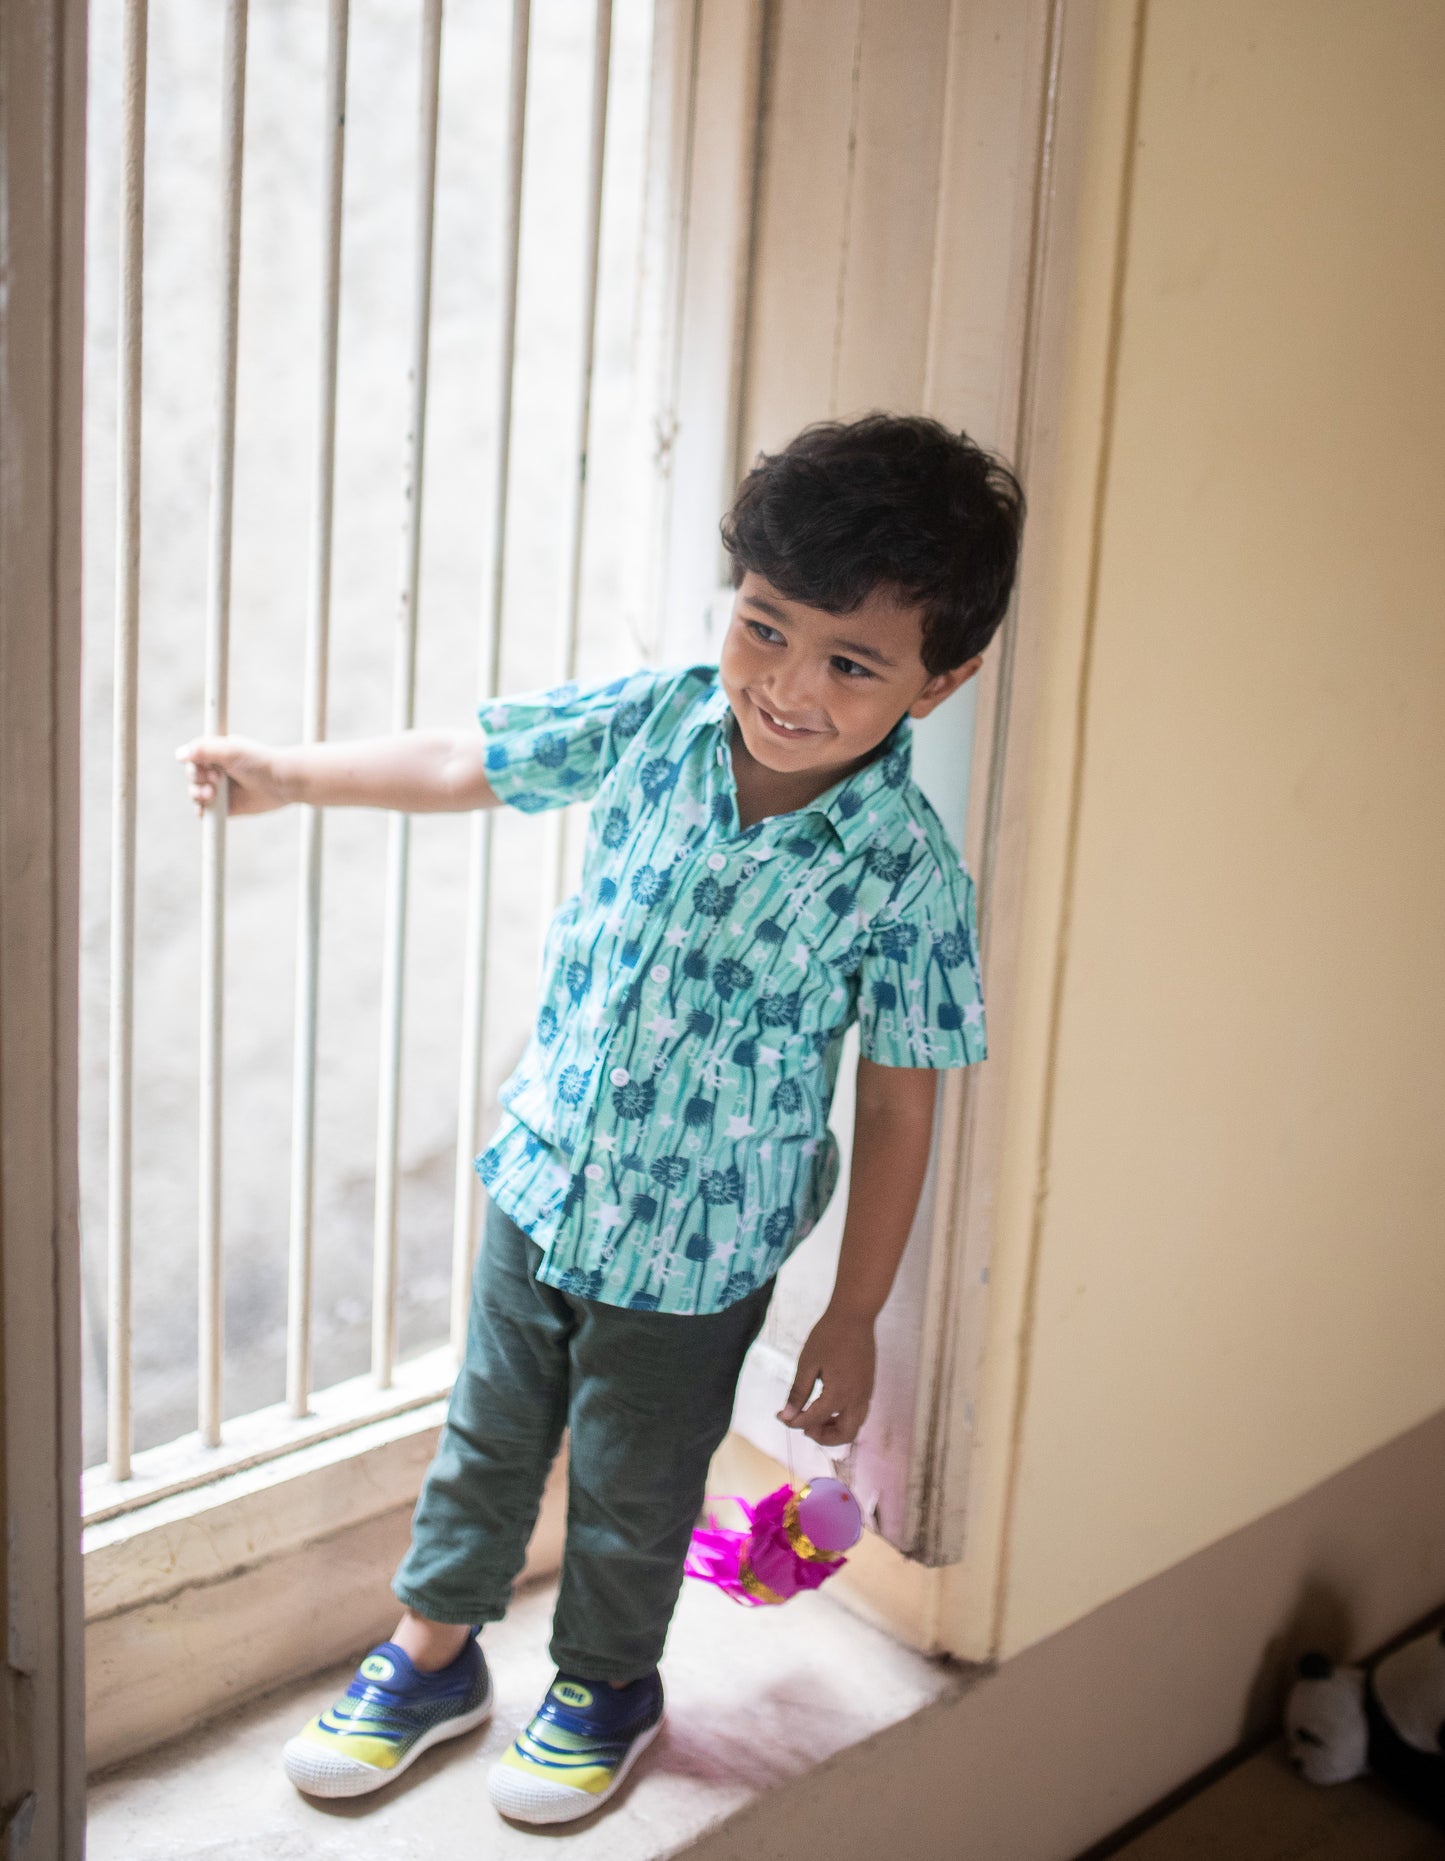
(761, 872)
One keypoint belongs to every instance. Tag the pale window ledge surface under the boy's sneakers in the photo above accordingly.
(753, 1698)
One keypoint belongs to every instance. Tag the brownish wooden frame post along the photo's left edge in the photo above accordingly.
(42, 267)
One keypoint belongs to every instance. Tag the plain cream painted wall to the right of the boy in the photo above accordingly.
(1221, 1253)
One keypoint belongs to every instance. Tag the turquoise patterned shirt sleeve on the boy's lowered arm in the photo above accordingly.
(921, 1002)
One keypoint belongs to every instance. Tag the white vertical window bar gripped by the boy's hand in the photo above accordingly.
(217, 669)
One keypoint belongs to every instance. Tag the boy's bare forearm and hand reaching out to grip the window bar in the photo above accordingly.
(418, 771)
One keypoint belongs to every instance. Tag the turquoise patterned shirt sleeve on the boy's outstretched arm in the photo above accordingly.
(556, 747)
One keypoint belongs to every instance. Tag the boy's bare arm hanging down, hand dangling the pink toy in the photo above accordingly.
(891, 1142)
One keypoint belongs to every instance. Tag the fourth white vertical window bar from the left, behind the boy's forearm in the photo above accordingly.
(399, 838)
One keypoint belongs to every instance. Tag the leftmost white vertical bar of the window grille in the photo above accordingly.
(124, 749)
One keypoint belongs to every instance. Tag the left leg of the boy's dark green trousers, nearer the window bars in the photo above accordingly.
(506, 1421)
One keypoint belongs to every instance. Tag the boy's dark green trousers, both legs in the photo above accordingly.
(647, 1399)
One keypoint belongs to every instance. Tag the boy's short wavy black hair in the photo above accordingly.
(893, 502)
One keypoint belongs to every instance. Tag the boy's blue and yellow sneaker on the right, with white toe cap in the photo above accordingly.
(578, 1748)
